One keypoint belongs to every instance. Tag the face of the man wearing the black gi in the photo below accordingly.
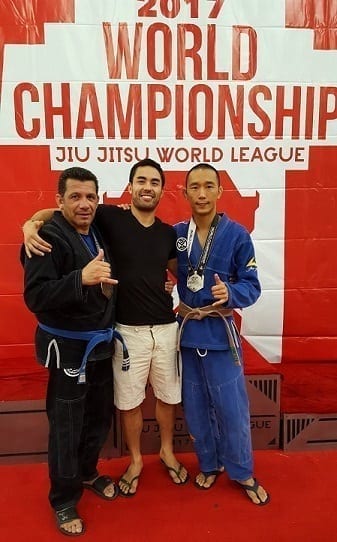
(78, 204)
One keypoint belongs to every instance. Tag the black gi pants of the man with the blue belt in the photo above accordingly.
(80, 416)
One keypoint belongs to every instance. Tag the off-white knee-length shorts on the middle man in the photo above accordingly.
(153, 357)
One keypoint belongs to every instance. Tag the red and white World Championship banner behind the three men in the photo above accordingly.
(246, 86)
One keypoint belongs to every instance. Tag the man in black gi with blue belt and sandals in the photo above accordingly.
(70, 292)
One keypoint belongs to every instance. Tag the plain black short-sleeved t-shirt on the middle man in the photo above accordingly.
(141, 255)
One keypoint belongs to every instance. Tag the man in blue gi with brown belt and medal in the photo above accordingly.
(216, 273)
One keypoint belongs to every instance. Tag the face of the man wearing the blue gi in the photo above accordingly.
(202, 191)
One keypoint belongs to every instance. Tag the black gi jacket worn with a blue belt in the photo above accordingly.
(53, 291)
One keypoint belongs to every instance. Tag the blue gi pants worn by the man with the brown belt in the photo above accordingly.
(216, 409)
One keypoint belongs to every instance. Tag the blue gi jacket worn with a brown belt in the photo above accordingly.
(232, 257)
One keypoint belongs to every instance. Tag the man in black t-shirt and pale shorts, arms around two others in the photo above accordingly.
(143, 248)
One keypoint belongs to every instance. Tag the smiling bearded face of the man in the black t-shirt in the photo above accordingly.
(146, 189)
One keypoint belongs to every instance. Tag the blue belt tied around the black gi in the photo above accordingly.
(93, 338)
